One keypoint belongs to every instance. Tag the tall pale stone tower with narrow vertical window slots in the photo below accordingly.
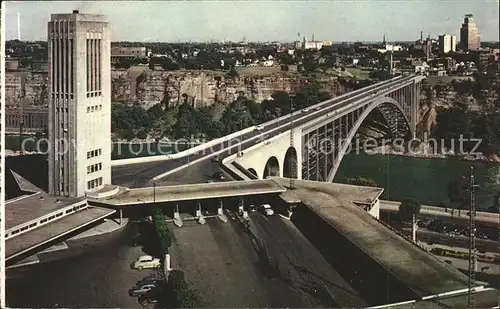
(79, 127)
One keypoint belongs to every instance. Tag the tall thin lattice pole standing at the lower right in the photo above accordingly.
(472, 239)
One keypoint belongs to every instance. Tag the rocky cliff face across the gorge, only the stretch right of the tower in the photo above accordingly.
(201, 88)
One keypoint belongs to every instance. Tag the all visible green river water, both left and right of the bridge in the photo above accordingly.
(401, 177)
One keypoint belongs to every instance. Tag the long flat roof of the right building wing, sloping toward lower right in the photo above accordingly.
(419, 270)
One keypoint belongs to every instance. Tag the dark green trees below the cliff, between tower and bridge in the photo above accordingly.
(130, 121)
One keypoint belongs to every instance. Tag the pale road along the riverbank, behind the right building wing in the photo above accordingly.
(487, 218)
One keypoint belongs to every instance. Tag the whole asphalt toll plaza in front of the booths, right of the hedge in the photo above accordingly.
(269, 265)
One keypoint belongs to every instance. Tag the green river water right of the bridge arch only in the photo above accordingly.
(424, 179)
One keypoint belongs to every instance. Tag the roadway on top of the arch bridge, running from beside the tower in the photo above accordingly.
(141, 174)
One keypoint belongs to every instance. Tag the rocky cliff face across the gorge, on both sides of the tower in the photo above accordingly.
(148, 87)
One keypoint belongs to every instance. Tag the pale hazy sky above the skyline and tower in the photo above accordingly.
(334, 20)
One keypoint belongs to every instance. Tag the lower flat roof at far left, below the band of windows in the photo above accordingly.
(38, 237)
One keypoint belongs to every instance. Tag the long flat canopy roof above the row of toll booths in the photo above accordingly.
(195, 192)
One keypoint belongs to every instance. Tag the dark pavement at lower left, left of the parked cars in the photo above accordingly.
(96, 274)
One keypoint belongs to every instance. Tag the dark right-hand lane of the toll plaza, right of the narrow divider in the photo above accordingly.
(296, 260)
